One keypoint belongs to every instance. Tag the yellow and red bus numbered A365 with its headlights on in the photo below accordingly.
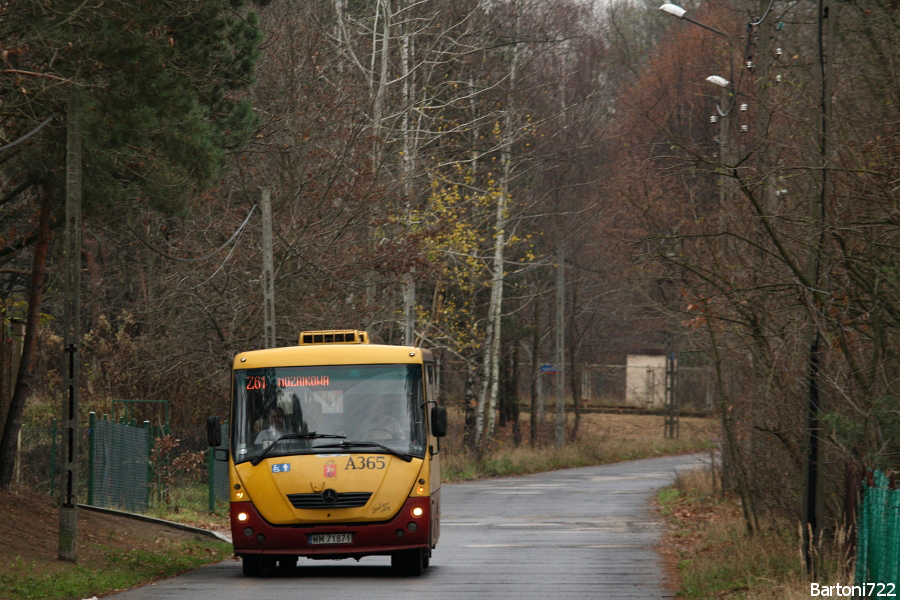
(334, 453)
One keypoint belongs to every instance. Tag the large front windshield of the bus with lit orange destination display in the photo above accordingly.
(368, 408)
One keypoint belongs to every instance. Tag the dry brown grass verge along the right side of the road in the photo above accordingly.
(711, 555)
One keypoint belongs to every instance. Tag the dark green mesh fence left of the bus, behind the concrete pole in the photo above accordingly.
(128, 465)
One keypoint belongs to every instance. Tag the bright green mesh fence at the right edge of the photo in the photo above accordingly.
(878, 537)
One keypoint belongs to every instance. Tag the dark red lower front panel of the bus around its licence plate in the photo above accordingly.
(257, 536)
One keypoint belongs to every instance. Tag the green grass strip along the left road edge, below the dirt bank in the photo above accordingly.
(124, 570)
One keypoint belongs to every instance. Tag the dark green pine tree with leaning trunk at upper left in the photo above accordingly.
(162, 83)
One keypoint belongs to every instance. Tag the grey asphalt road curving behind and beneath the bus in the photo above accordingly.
(578, 533)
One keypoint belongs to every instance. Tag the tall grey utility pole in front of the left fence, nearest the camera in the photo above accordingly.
(68, 505)
